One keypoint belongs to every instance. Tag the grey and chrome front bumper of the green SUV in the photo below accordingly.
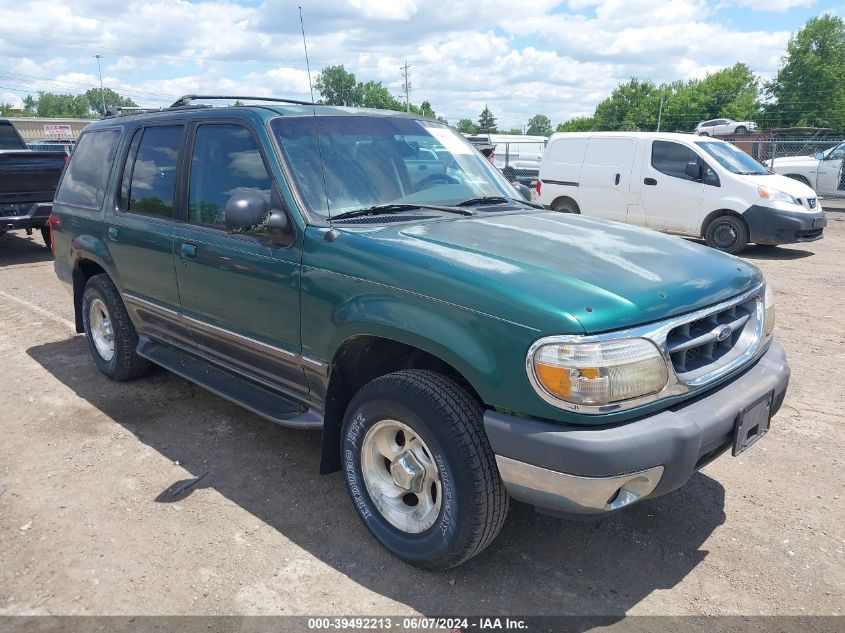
(592, 470)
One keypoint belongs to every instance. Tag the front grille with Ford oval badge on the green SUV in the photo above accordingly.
(700, 347)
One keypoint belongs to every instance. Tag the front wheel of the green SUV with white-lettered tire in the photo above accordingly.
(420, 469)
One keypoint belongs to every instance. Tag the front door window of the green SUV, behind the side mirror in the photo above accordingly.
(226, 162)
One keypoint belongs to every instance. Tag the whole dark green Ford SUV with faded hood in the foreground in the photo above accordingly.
(457, 346)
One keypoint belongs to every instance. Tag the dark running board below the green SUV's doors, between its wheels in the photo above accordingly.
(227, 384)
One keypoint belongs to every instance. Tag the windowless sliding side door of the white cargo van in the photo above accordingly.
(606, 177)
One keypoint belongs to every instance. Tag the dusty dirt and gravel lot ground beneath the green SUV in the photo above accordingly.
(87, 524)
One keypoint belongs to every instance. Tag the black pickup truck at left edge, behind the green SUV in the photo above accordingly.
(28, 182)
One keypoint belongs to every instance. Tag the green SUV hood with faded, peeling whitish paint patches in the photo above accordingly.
(553, 272)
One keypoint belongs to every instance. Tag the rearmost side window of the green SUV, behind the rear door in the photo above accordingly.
(86, 177)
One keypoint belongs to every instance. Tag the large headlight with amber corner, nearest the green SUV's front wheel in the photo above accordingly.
(598, 373)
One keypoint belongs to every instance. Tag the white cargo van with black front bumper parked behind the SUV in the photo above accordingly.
(678, 183)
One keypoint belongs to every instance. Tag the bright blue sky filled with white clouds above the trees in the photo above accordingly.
(520, 58)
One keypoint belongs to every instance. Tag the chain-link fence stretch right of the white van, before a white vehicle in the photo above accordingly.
(819, 163)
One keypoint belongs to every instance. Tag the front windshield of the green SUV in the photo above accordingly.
(375, 160)
